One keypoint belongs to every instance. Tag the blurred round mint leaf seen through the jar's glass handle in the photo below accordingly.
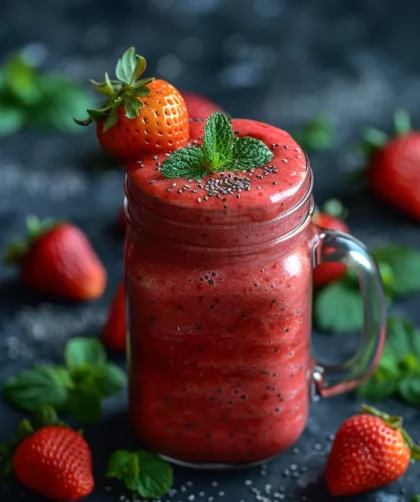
(338, 308)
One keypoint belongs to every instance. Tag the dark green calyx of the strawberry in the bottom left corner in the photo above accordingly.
(44, 416)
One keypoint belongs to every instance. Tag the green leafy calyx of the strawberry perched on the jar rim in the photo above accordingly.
(124, 91)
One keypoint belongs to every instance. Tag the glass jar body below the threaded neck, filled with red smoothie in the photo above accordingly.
(219, 345)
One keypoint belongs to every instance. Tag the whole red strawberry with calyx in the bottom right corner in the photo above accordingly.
(369, 451)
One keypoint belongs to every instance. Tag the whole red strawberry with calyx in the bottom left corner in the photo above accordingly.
(53, 461)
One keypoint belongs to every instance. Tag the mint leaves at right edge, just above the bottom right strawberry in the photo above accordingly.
(398, 372)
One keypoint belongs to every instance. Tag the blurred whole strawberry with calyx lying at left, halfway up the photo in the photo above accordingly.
(58, 258)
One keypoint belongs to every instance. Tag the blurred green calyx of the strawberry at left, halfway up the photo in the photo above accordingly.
(35, 229)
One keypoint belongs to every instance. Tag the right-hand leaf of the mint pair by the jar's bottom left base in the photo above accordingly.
(156, 475)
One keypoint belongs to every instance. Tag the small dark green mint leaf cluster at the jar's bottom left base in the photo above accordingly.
(142, 472)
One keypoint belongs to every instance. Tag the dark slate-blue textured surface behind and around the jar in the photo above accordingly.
(272, 60)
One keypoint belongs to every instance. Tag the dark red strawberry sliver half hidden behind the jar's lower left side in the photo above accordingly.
(114, 331)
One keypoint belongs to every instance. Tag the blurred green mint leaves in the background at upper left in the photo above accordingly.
(38, 99)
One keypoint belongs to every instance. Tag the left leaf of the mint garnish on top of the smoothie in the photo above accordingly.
(185, 163)
